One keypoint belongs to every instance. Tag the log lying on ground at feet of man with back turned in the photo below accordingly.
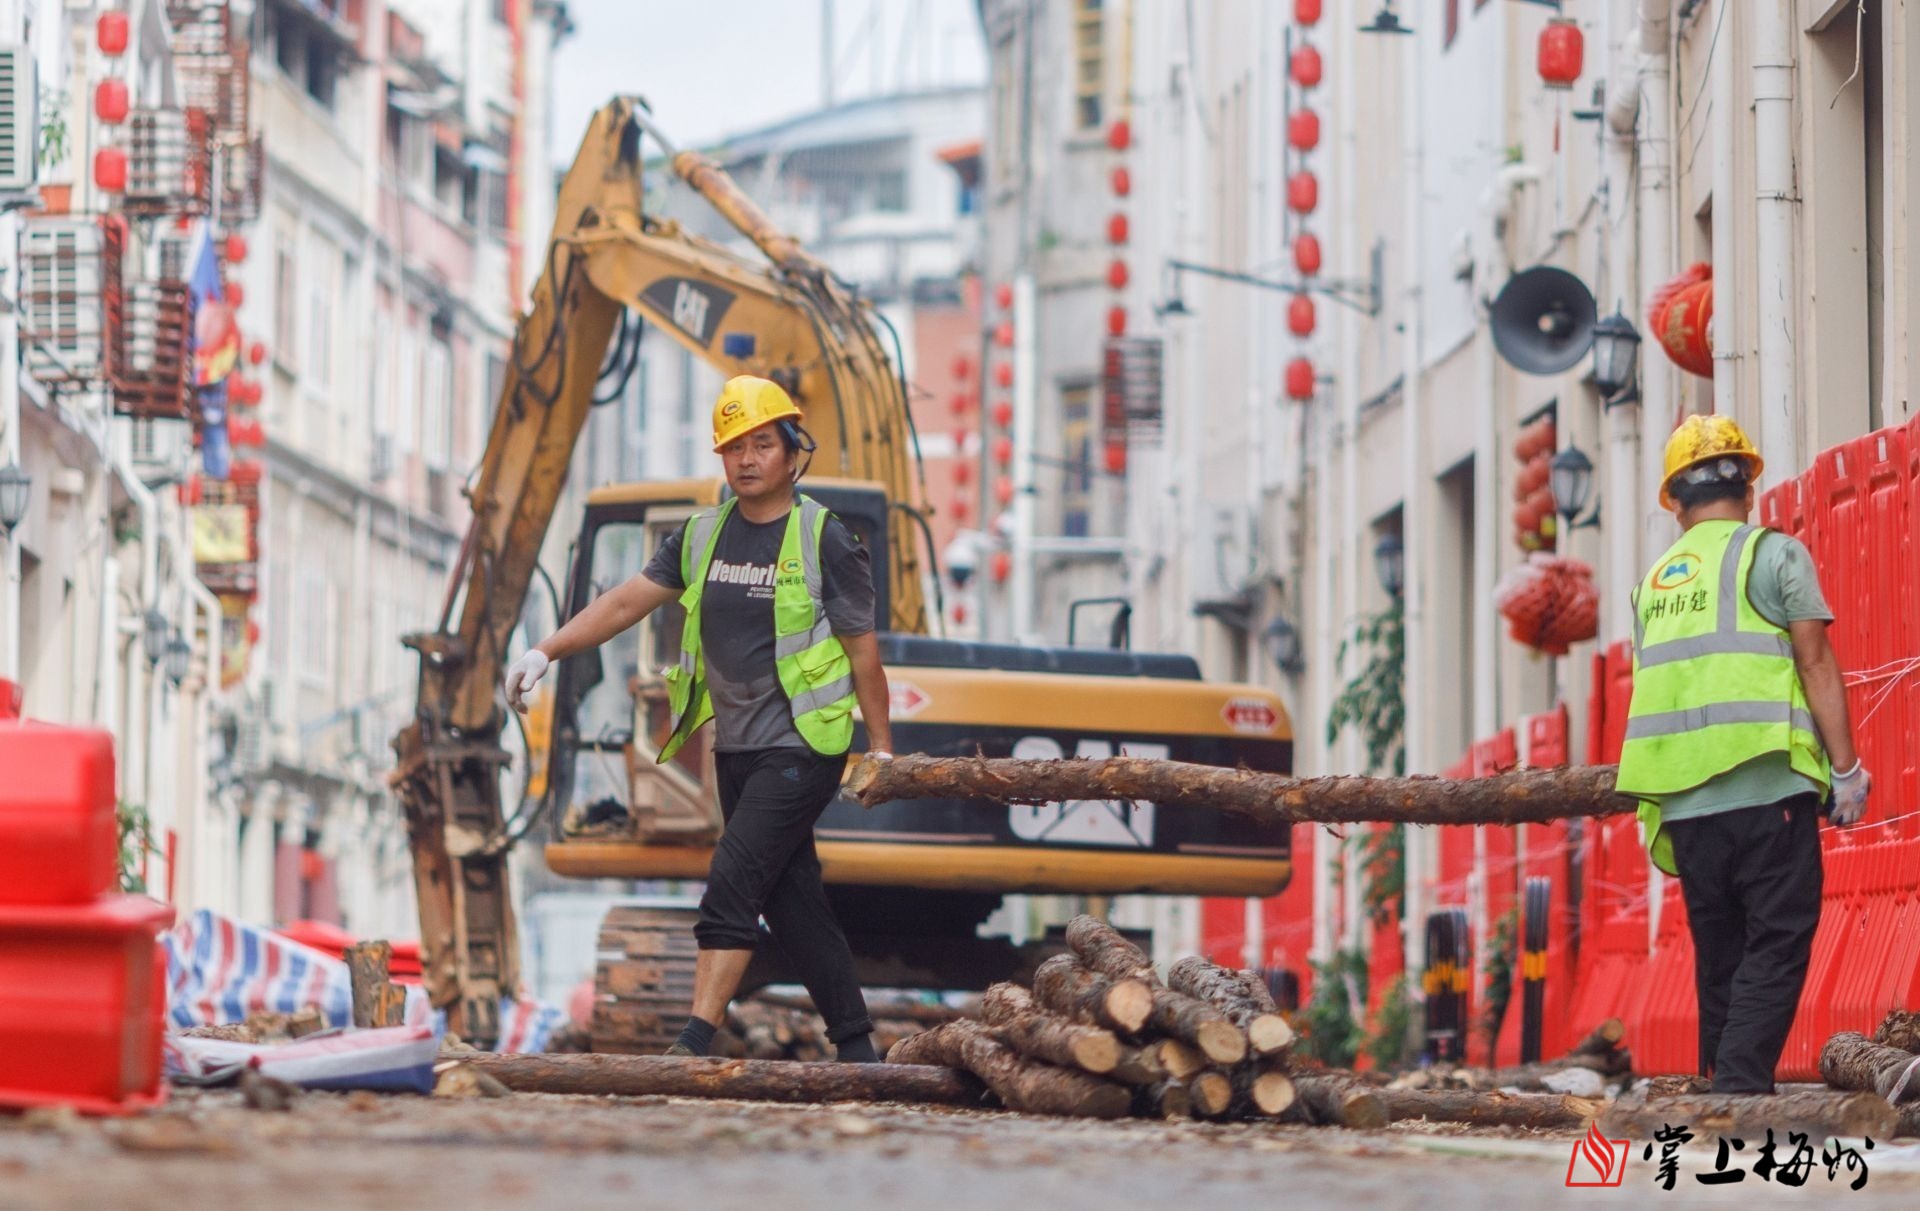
(1746, 1116)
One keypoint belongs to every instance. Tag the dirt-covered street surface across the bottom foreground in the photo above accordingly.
(208, 1152)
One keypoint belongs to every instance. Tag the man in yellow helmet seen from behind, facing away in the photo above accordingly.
(1737, 742)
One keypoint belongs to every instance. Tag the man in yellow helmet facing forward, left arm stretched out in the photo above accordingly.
(777, 652)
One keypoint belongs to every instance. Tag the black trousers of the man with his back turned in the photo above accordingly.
(1752, 886)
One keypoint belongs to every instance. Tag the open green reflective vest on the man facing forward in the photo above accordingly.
(811, 663)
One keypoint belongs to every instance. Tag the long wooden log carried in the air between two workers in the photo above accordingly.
(1272, 799)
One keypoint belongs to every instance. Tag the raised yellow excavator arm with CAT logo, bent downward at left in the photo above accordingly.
(790, 321)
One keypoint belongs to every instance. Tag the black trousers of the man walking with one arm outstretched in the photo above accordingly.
(767, 867)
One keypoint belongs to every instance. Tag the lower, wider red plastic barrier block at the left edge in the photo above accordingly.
(84, 1003)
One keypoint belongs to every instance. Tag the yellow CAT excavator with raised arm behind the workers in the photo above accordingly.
(911, 882)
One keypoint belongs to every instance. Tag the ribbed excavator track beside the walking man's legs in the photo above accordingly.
(642, 980)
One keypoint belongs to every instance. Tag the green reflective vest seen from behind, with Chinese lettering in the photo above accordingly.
(1714, 680)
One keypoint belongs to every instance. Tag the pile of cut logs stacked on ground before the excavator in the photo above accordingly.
(1101, 1035)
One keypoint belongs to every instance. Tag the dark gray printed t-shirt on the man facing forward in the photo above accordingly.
(738, 621)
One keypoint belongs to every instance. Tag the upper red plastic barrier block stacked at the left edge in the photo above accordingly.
(59, 836)
